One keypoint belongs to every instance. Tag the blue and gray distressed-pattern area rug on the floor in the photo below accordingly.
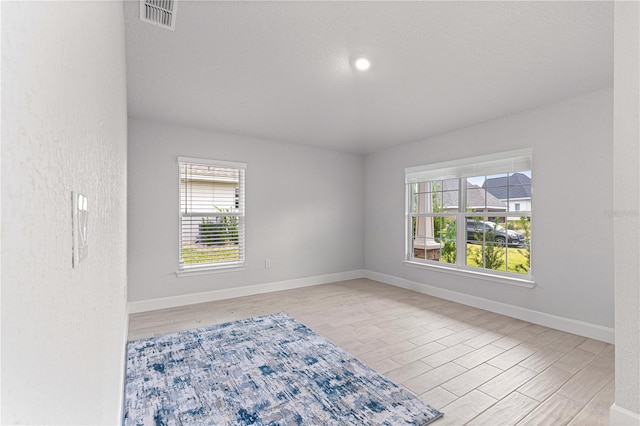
(269, 370)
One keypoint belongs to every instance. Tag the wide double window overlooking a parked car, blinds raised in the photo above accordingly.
(472, 214)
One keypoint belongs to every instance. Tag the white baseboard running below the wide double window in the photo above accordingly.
(593, 331)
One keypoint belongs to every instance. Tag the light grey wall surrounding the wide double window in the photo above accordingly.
(572, 253)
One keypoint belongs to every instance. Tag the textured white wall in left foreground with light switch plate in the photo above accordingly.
(63, 129)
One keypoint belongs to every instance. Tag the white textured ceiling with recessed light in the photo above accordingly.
(281, 70)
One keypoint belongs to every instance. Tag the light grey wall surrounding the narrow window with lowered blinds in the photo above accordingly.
(303, 210)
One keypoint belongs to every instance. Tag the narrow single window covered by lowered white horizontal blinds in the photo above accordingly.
(211, 214)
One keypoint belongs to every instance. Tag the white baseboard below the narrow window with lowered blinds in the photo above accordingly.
(229, 293)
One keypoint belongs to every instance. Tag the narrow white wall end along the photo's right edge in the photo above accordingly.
(626, 179)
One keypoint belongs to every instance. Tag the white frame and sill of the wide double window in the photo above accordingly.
(487, 165)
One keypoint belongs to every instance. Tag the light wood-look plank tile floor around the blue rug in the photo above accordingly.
(478, 367)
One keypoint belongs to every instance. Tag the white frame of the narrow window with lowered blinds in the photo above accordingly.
(238, 210)
